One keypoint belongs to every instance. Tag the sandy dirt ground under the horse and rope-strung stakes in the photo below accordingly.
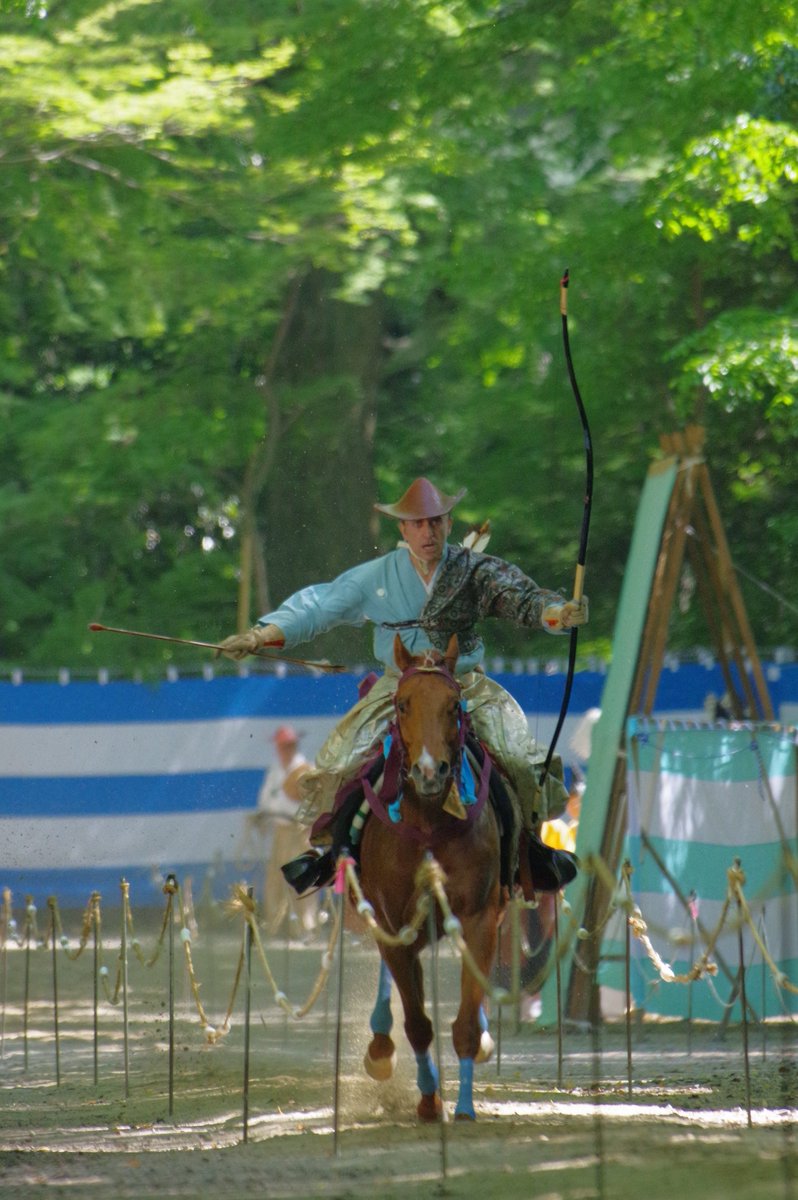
(685, 1129)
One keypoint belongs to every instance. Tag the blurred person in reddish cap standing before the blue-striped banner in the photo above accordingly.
(275, 820)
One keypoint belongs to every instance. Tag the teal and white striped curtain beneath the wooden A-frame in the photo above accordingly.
(700, 799)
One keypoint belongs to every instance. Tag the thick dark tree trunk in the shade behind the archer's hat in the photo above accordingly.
(317, 513)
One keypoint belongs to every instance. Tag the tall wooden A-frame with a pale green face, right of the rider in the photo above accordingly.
(692, 531)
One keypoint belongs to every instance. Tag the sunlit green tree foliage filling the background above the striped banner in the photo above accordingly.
(263, 263)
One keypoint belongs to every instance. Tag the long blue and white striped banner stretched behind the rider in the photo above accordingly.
(133, 781)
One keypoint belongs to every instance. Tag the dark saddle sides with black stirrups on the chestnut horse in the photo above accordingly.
(525, 859)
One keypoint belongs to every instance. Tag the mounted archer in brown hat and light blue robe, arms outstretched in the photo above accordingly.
(430, 591)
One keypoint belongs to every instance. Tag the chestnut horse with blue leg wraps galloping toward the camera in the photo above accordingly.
(465, 842)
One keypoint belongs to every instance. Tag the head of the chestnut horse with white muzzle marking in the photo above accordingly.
(428, 710)
